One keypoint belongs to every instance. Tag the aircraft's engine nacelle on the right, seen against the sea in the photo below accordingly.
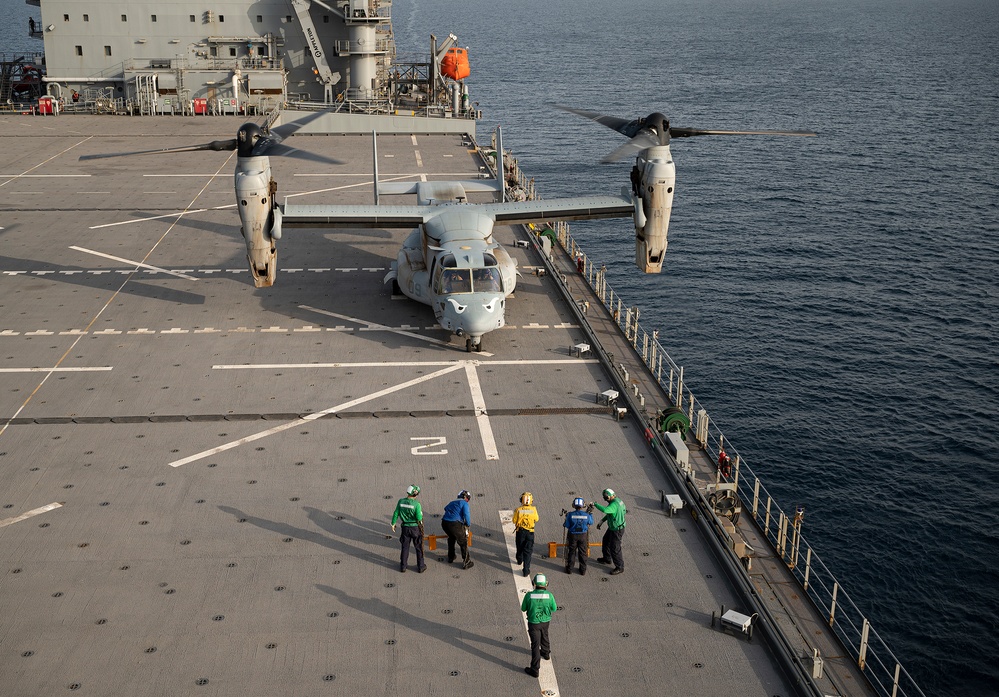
(652, 181)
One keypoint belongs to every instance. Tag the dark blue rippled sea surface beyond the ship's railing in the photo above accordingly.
(834, 300)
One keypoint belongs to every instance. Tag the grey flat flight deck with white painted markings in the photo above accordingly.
(266, 568)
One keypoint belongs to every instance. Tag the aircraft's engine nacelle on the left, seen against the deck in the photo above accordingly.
(260, 218)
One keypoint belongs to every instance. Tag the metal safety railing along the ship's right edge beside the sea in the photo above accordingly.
(783, 531)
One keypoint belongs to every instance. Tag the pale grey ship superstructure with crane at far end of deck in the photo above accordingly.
(231, 58)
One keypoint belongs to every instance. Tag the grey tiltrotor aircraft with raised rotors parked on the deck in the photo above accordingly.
(450, 260)
